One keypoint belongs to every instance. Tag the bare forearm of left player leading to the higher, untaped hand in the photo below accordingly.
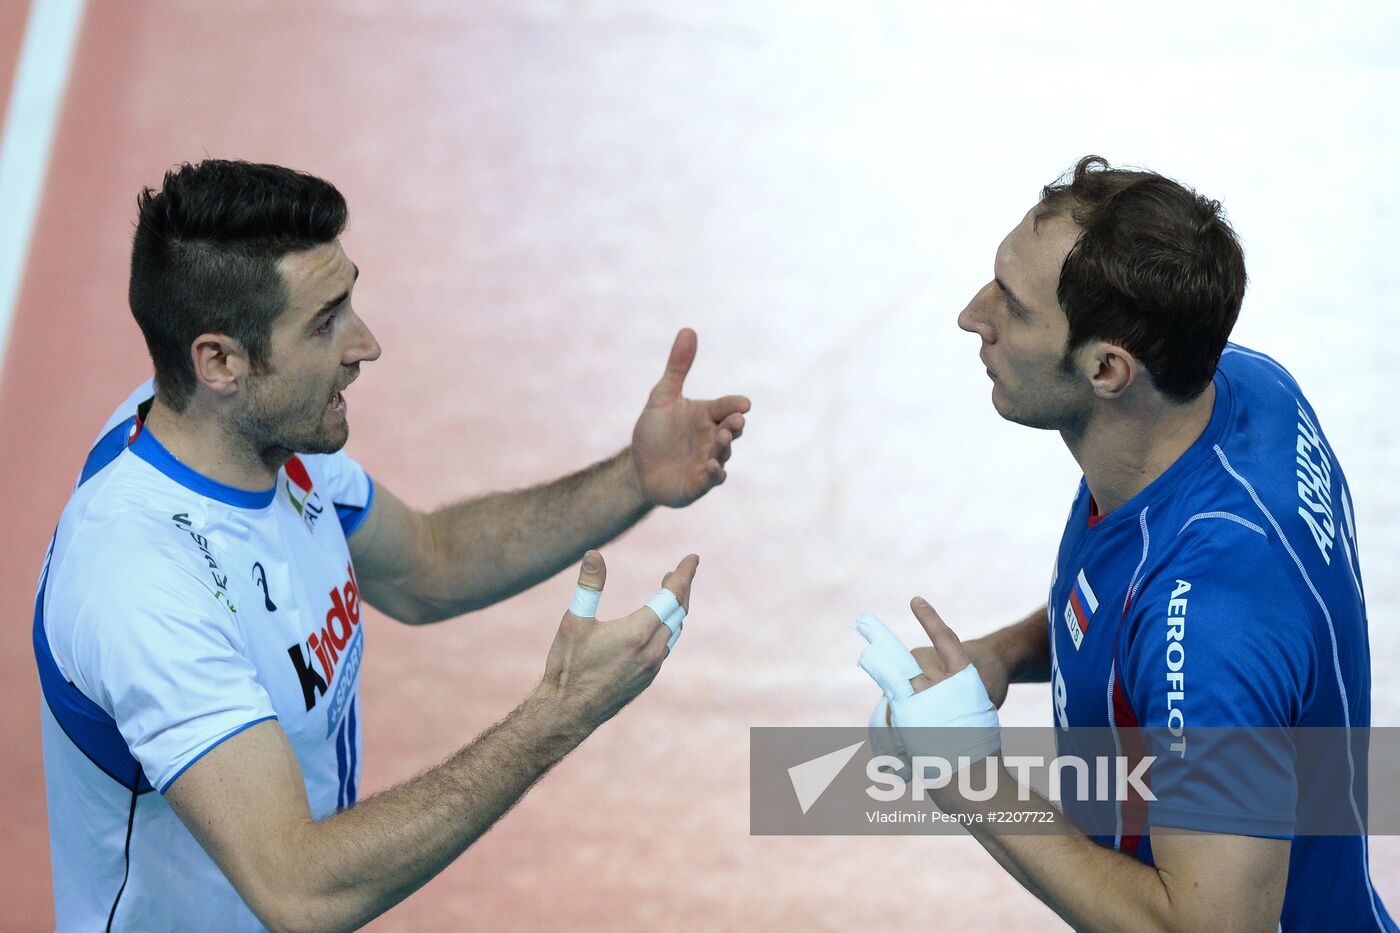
(491, 548)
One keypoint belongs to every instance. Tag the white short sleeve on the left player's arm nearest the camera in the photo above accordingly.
(163, 658)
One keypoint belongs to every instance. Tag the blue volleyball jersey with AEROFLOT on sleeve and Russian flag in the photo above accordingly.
(1227, 593)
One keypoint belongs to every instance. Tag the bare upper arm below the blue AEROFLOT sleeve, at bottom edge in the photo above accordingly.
(1223, 882)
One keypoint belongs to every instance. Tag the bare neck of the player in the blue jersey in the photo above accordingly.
(1123, 448)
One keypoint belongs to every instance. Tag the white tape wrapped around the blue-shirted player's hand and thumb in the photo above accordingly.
(951, 719)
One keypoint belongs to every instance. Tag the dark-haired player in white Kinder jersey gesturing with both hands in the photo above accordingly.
(199, 620)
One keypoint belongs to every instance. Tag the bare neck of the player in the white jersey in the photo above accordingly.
(204, 442)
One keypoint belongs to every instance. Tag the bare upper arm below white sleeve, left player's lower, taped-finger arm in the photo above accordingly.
(246, 803)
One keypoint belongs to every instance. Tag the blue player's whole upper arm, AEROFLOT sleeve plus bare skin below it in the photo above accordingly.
(1217, 666)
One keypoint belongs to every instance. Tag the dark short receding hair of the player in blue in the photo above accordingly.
(1157, 270)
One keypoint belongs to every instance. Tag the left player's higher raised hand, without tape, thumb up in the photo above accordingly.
(680, 446)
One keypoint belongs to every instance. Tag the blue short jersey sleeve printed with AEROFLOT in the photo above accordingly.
(1219, 662)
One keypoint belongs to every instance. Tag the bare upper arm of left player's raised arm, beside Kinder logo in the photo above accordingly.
(391, 547)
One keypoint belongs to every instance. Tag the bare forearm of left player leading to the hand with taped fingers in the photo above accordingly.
(365, 861)
